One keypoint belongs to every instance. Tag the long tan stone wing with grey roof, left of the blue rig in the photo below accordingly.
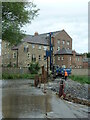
(27, 51)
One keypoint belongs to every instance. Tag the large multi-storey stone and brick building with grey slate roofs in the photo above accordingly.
(33, 48)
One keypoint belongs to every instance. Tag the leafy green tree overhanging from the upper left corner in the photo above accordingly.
(14, 16)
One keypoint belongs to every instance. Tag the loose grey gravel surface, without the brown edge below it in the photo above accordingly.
(72, 88)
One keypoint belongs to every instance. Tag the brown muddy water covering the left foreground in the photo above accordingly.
(20, 100)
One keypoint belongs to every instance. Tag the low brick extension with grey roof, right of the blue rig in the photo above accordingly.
(68, 58)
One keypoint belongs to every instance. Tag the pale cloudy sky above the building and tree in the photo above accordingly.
(70, 15)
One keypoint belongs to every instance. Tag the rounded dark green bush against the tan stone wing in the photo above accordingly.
(34, 67)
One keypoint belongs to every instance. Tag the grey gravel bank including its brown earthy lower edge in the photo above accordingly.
(75, 92)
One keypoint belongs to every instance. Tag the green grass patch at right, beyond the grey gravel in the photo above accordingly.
(81, 79)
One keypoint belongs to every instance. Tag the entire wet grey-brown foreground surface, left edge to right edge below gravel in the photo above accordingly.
(21, 100)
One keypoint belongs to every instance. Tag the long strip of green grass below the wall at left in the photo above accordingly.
(18, 76)
